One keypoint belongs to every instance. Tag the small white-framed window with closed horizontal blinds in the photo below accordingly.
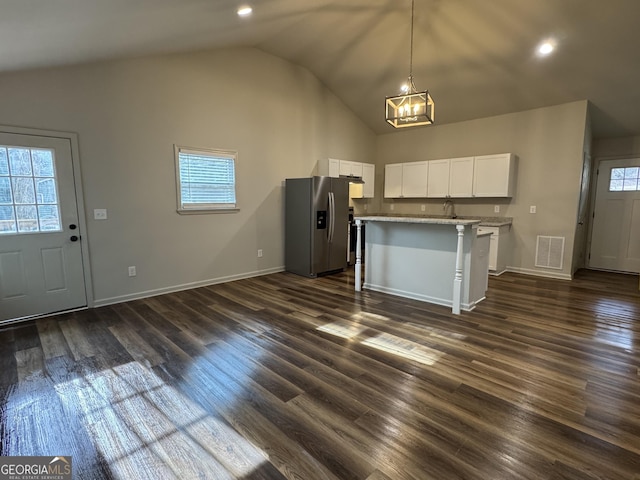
(206, 180)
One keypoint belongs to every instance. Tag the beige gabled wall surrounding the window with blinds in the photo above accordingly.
(129, 114)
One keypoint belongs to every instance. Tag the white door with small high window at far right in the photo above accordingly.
(615, 239)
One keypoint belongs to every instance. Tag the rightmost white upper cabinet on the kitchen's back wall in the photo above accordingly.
(494, 175)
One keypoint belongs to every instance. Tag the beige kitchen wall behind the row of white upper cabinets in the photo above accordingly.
(549, 143)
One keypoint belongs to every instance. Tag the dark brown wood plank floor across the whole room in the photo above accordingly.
(286, 377)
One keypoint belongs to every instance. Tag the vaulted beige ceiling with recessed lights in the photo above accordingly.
(476, 57)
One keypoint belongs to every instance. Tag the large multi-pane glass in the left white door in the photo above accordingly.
(28, 191)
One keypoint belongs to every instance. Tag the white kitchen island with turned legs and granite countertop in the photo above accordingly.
(437, 260)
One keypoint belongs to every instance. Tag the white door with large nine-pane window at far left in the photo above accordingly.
(41, 268)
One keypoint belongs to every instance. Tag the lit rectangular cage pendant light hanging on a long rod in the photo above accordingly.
(411, 108)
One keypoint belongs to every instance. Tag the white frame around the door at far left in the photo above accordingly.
(77, 183)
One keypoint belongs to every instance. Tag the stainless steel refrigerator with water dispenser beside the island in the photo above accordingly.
(316, 225)
